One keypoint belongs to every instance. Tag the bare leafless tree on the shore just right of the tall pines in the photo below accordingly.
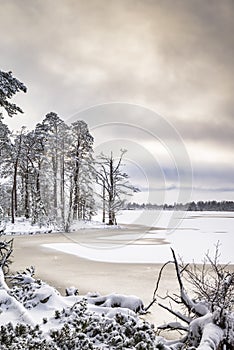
(114, 183)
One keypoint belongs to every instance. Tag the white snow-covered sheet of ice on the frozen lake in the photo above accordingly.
(190, 234)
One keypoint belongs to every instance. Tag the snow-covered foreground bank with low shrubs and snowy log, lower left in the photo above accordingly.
(53, 321)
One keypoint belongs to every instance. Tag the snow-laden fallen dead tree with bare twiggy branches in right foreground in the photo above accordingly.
(207, 318)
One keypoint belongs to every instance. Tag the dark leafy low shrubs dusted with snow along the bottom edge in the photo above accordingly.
(77, 328)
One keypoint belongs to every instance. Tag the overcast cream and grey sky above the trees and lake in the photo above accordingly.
(154, 77)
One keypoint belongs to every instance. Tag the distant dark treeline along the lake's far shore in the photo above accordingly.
(191, 206)
